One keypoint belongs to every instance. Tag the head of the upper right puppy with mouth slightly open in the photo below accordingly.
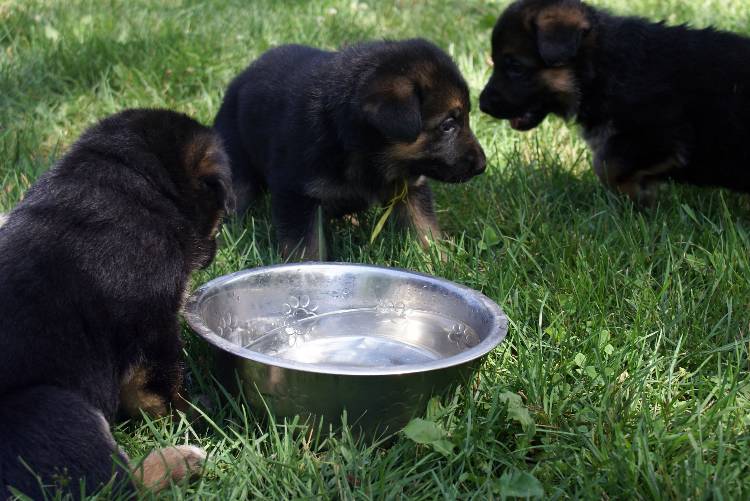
(537, 46)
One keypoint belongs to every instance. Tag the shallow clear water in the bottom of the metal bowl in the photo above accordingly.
(363, 338)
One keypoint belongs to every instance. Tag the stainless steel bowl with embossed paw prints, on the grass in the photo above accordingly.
(317, 339)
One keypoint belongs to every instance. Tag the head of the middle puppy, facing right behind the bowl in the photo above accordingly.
(418, 104)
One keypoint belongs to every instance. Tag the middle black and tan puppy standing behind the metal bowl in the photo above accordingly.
(345, 130)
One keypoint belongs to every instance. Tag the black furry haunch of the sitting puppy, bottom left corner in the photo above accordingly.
(53, 441)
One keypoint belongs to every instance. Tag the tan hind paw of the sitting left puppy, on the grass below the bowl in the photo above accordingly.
(169, 465)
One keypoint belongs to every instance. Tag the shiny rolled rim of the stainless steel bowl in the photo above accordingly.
(497, 335)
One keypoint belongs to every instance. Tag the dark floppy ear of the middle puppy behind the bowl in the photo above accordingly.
(392, 106)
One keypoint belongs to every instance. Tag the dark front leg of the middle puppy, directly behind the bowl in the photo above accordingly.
(299, 222)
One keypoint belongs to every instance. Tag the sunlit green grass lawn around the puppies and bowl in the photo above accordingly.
(629, 337)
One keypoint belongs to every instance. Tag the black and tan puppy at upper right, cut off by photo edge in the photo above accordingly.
(655, 102)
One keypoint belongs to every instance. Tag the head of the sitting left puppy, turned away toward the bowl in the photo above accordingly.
(194, 173)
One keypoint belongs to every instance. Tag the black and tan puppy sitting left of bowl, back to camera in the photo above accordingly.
(94, 264)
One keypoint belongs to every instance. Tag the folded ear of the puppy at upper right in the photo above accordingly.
(559, 32)
